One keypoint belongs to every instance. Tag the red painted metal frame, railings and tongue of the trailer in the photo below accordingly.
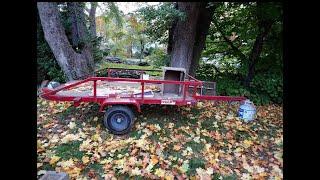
(186, 99)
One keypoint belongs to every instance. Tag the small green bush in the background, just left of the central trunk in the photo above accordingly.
(158, 58)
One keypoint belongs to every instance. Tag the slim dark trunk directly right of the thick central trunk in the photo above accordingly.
(203, 25)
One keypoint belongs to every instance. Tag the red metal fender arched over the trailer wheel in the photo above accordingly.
(121, 101)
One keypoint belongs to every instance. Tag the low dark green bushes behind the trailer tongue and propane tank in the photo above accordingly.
(265, 88)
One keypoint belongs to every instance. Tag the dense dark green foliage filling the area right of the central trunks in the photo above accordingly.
(240, 22)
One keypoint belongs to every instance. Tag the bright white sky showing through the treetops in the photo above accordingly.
(126, 7)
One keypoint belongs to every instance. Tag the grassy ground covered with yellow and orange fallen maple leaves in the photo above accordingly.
(203, 142)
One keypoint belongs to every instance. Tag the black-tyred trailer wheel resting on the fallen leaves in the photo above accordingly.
(119, 119)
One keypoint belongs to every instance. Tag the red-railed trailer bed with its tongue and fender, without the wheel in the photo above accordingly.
(109, 90)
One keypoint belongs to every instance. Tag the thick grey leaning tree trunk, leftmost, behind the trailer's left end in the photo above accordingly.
(74, 65)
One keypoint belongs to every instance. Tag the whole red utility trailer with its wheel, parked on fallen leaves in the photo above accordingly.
(120, 95)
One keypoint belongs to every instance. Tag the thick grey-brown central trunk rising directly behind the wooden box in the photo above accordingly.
(184, 35)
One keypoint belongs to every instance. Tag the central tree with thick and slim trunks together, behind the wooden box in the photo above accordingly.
(189, 34)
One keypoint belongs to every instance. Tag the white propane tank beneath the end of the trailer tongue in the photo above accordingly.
(247, 111)
